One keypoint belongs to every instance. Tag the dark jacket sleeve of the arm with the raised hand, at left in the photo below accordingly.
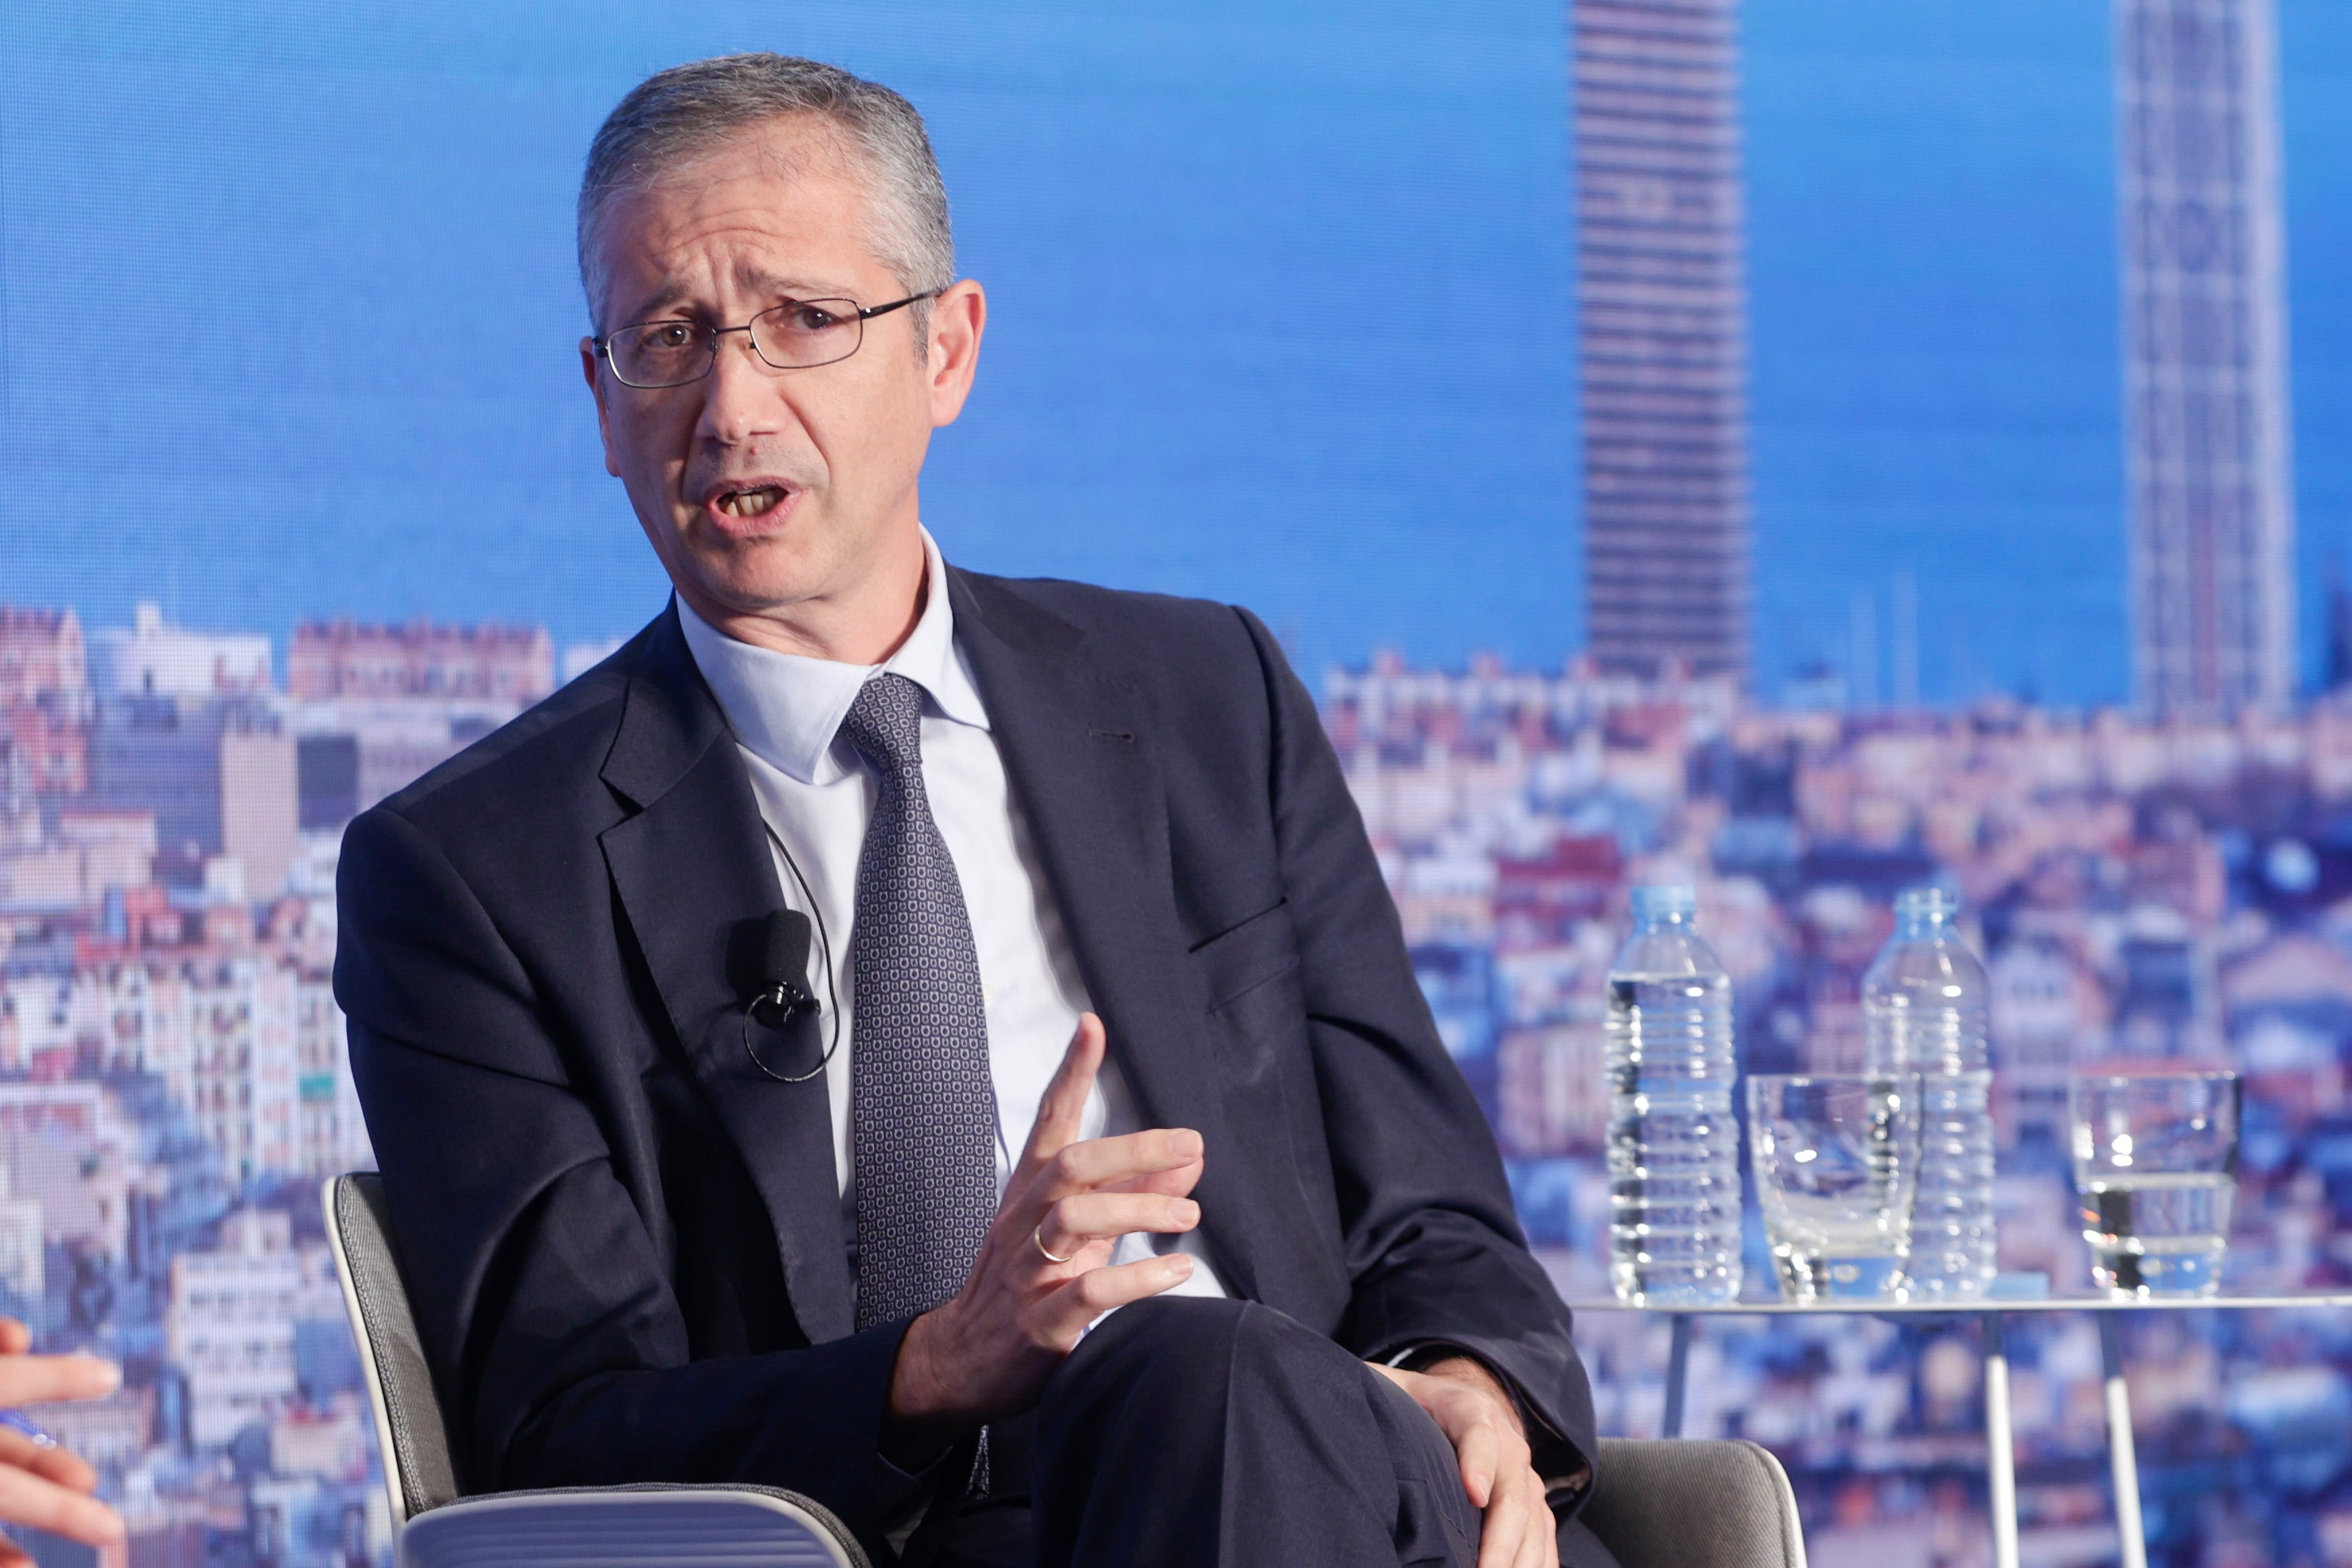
(542, 1292)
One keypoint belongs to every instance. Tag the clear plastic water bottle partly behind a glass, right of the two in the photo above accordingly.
(1925, 1012)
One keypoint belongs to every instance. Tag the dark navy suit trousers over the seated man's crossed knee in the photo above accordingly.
(1191, 1433)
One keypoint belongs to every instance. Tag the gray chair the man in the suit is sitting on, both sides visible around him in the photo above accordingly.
(1662, 1506)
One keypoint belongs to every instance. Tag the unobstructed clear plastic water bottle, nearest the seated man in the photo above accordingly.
(1673, 1144)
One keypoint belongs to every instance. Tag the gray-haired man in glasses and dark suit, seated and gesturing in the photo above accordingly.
(1116, 1202)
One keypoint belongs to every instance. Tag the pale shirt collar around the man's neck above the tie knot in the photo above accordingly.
(787, 709)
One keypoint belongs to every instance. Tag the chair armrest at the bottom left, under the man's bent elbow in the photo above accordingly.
(669, 1527)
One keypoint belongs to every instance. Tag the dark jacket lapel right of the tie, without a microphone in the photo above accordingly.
(1081, 765)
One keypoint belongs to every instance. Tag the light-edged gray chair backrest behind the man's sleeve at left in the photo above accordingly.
(410, 1430)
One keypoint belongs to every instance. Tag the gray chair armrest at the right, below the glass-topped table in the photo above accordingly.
(1688, 1503)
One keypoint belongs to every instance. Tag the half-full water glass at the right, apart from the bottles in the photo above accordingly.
(2156, 1170)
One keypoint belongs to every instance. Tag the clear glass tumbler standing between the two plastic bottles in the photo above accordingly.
(1836, 1162)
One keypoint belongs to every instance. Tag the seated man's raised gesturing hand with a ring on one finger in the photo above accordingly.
(989, 1353)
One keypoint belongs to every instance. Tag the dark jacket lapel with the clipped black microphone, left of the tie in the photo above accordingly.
(695, 876)
